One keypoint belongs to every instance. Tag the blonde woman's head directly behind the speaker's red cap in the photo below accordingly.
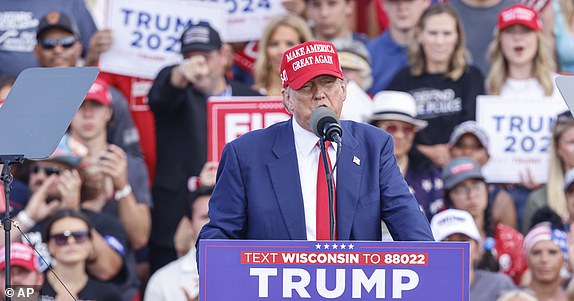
(280, 34)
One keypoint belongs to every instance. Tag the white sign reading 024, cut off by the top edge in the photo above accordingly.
(246, 19)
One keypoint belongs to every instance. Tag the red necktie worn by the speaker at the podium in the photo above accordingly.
(323, 198)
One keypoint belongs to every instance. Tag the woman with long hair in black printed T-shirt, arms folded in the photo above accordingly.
(439, 77)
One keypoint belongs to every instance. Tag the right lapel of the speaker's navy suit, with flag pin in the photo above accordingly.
(349, 171)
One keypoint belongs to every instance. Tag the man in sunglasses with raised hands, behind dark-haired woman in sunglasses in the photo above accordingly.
(55, 183)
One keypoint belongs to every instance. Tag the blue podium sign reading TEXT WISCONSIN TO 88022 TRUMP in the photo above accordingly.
(326, 270)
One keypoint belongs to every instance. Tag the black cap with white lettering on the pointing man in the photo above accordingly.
(200, 37)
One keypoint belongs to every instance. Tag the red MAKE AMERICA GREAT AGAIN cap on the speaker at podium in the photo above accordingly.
(305, 61)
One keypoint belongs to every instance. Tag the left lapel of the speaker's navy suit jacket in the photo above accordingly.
(286, 183)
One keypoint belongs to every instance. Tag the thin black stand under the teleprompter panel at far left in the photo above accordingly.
(7, 178)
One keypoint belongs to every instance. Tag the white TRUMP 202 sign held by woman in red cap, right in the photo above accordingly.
(520, 133)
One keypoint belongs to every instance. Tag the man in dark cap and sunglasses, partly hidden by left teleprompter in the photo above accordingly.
(59, 45)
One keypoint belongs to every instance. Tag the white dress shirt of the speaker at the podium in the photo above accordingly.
(307, 161)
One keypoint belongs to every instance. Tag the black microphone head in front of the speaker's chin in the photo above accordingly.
(325, 124)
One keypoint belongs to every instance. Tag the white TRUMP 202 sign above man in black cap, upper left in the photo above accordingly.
(147, 33)
